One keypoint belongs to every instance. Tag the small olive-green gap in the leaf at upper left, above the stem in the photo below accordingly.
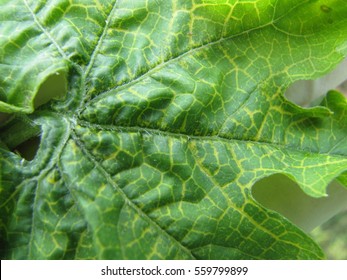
(54, 87)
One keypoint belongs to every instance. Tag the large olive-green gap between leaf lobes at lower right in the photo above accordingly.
(279, 193)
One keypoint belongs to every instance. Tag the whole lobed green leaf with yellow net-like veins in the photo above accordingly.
(174, 109)
